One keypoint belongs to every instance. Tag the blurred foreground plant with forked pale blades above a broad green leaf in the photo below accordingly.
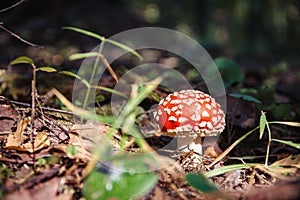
(135, 177)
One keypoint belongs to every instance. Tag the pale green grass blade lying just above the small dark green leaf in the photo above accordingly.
(228, 168)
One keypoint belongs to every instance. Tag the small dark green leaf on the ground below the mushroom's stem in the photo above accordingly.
(201, 183)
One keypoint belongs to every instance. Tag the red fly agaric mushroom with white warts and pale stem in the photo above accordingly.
(189, 115)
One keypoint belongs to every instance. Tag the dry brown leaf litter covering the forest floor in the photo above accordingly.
(49, 169)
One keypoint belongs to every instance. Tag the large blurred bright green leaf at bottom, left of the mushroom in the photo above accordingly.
(128, 177)
